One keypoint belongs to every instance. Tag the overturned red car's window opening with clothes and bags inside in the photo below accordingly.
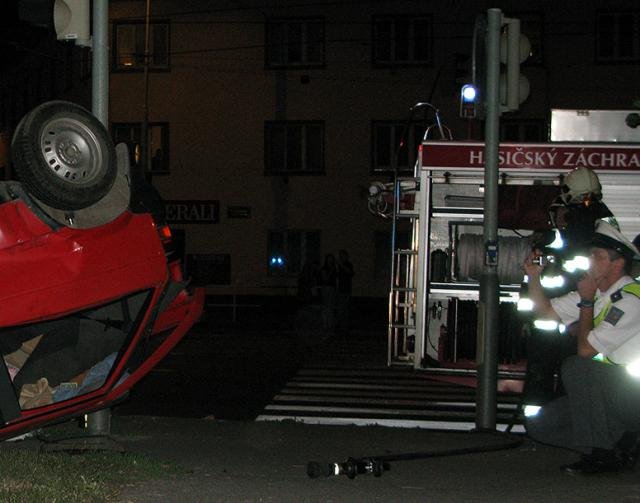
(60, 359)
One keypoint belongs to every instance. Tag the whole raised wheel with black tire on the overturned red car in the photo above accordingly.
(63, 155)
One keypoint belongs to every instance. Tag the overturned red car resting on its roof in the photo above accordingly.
(91, 297)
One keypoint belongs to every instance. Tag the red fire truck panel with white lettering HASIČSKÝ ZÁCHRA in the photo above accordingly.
(532, 156)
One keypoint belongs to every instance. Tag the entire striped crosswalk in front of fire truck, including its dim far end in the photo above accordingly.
(346, 381)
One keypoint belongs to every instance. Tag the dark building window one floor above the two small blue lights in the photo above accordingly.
(269, 131)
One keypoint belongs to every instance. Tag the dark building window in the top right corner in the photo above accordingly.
(615, 58)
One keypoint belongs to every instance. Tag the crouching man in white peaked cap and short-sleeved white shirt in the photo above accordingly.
(600, 413)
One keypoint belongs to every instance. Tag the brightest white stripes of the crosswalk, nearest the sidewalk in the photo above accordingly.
(405, 398)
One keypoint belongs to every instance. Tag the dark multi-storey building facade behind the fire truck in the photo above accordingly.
(269, 120)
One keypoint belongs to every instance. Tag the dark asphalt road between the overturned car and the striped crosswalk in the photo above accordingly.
(227, 370)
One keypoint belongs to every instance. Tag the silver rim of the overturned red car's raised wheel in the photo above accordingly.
(71, 150)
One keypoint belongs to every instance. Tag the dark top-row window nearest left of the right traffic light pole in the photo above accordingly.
(394, 61)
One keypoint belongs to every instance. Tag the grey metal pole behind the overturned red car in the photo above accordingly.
(99, 423)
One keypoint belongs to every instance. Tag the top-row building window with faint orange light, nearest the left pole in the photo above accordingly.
(139, 66)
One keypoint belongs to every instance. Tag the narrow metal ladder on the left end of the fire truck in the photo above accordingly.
(404, 267)
